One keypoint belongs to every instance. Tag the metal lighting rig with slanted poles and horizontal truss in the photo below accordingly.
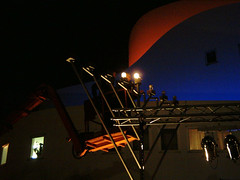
(142, 115)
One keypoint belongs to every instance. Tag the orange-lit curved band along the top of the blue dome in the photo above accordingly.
(156, 23)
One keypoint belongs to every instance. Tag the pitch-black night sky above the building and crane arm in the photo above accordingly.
(38, 36)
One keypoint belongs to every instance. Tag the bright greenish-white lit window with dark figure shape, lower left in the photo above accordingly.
(37, 147)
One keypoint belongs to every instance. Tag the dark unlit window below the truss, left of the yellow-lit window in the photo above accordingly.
(169, 139)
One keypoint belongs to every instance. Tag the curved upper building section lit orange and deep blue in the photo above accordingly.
(190, 49)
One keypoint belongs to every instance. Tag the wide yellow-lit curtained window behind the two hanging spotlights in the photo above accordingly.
(196, 136)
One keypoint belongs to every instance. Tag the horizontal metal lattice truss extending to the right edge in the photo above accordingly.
(178, 114)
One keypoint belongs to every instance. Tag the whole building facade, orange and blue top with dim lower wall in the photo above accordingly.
(196, 58)
